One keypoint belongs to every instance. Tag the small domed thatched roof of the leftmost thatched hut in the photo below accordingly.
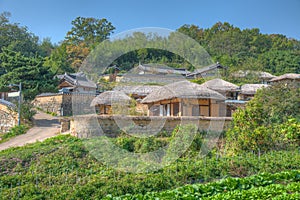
(111, 97)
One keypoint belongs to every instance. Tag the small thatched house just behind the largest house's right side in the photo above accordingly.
(227, 89)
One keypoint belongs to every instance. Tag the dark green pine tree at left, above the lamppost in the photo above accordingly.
(35, 78)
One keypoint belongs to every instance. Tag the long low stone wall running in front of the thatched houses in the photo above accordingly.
(91, 125)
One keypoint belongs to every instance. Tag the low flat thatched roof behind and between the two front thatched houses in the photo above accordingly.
(140, 90)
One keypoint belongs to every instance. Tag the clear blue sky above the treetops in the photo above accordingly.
(52, 18)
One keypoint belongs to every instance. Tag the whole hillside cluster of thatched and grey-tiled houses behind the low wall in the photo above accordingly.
(154, 90)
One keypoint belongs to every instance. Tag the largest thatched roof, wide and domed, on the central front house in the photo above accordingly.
(184, 90)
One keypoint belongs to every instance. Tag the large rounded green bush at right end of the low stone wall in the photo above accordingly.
(270, 121)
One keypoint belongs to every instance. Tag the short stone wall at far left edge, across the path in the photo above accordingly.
(8, 119)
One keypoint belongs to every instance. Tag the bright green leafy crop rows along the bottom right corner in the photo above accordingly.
(259, 186)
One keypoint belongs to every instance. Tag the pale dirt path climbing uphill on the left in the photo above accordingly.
(45, 126)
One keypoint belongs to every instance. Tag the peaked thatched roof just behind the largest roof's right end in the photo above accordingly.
(218, 84)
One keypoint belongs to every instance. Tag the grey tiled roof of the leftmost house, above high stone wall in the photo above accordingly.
(77, 79)
